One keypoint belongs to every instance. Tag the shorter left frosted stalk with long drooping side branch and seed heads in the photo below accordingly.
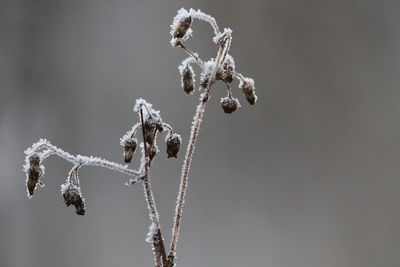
(150, 123)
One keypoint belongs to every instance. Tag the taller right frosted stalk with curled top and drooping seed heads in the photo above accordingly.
(222, 68)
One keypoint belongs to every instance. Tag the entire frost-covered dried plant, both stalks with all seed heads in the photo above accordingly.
(221, 68)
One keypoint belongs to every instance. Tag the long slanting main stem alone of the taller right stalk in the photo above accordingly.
(198, 117)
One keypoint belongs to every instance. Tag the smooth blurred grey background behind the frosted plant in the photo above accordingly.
(308, 177)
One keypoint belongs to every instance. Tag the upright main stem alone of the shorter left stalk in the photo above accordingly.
(160, 256)
